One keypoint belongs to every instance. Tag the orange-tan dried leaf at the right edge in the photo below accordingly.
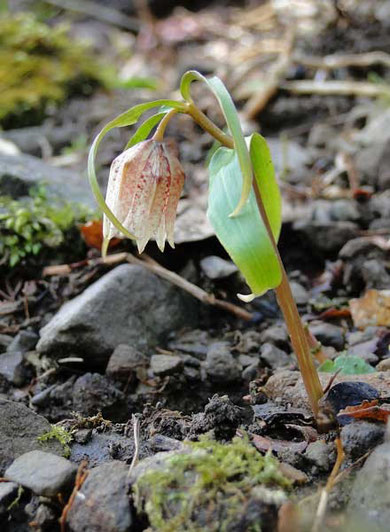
(371, 309)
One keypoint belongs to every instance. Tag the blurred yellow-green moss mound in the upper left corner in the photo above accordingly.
(39, 66)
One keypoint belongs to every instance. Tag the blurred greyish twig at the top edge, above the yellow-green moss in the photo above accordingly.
(98, 11)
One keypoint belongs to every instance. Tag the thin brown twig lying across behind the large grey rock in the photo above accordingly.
(172, 277)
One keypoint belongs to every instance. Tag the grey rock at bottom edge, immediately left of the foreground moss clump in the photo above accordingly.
(103, 504)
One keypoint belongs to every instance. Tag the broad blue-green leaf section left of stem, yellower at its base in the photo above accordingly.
(244, 237)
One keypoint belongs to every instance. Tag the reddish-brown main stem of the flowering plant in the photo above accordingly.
(284, 295)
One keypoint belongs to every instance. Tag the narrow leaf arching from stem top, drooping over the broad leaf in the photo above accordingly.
(230, 114)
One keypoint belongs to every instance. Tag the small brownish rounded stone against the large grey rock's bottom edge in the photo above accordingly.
(124, 362)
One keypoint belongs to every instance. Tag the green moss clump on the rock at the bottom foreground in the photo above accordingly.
(212, 483)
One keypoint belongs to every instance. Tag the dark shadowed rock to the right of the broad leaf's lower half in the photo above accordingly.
(327, 238)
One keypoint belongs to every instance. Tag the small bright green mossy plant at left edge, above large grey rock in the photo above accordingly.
(29, 225)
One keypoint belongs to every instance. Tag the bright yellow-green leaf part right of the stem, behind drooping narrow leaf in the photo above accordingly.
(268, 186)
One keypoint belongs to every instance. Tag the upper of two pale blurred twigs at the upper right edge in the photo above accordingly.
(343, 60)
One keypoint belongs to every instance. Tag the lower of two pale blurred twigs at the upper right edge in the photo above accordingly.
(335, 87)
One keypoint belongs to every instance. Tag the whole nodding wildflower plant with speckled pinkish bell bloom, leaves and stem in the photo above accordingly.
(244, 204)
